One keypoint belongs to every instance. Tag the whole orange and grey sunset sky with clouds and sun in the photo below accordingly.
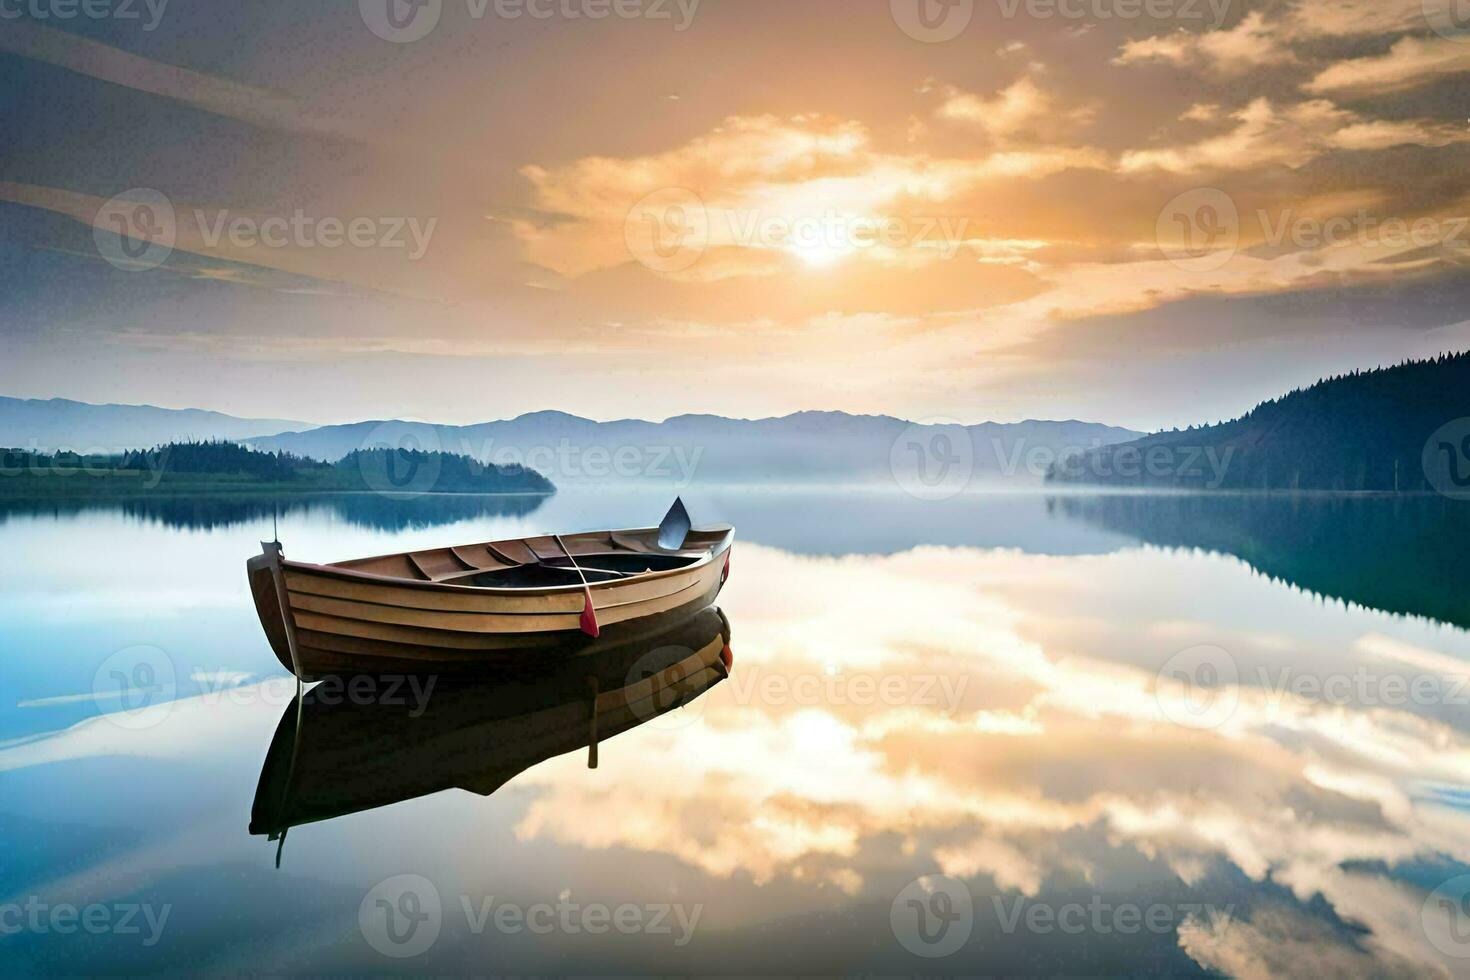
(1155, 214)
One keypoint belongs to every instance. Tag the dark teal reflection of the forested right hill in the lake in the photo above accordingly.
(1396, 555)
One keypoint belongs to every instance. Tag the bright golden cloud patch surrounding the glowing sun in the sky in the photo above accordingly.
(756, 192)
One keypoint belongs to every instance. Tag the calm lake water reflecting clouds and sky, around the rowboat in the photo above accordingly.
(1000, 734)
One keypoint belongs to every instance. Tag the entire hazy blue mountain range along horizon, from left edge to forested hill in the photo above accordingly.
(800, 449)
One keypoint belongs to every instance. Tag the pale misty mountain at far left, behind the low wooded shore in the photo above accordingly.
(58, 424)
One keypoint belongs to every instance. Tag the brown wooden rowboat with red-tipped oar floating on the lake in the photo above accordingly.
(490, 606)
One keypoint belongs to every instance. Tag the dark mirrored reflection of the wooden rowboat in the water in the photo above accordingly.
(349, 746)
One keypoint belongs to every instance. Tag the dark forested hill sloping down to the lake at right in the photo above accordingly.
(1403, 428)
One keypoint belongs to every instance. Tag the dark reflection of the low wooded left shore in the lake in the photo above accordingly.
(374, 512)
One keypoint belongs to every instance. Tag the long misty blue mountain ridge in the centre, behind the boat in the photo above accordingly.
(800, 449)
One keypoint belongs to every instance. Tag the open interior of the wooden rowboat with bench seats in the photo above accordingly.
(540, 563)
